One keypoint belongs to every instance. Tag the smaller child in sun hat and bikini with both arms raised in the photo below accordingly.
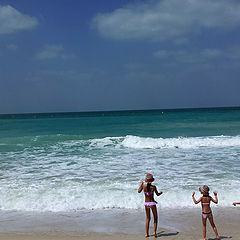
(206, 210)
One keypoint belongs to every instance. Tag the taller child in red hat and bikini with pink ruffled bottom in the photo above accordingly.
(150, 203)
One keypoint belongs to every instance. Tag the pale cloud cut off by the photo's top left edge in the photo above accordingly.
(11, 20)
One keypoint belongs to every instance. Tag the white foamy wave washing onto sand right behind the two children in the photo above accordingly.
(68, 200)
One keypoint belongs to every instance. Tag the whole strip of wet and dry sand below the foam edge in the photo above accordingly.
(173, 224)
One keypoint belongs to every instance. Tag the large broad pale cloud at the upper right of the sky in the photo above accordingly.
(168, 19)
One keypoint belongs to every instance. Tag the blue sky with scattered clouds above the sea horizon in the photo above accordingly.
(100, 55)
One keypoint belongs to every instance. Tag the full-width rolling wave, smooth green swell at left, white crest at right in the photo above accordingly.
(128, 141)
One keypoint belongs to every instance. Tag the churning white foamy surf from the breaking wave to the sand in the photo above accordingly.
(70, 174)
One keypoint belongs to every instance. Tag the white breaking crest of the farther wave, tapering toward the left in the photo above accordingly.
(137, 142)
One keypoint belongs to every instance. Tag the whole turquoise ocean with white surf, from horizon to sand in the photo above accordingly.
(85, 162)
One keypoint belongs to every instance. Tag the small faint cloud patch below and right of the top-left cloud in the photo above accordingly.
(52, 51)
